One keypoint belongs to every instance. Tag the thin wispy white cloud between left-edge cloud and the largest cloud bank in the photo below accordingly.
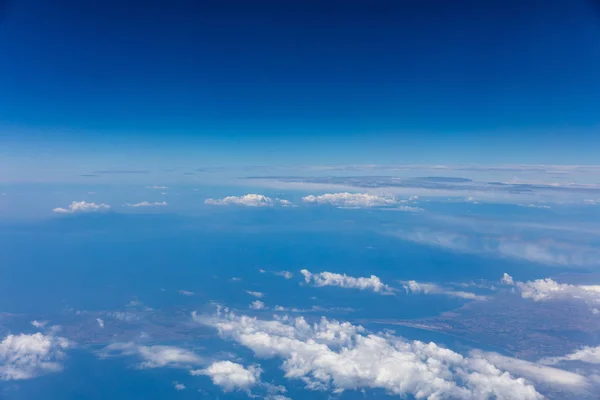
(155, 356)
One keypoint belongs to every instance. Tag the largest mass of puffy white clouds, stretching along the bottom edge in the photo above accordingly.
(341, 356)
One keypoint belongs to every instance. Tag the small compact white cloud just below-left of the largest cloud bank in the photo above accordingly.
(231, 376)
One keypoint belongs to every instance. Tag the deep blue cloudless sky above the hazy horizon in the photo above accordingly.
(312, 81)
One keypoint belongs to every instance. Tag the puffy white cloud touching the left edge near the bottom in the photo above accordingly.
(27, 356)
